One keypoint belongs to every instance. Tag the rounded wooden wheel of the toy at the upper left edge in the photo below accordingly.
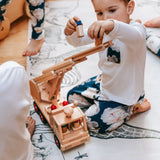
(5, 28)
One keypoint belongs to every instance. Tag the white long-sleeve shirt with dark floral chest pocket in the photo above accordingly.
(123, 64)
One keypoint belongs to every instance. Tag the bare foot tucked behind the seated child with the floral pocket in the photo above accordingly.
(142, 107)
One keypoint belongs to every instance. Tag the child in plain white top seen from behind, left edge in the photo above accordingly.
(15, 140)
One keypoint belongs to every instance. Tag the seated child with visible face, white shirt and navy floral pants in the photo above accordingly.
(113, 96)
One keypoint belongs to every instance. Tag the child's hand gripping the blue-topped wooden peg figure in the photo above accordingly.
(71, 26)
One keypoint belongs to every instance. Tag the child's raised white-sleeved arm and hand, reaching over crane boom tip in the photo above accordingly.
(117, 30)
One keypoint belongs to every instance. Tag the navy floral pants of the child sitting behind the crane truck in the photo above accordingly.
(102, 115)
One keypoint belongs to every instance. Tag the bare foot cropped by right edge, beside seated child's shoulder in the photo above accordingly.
(153, 23)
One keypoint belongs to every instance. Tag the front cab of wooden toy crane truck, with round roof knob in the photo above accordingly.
(69, 125)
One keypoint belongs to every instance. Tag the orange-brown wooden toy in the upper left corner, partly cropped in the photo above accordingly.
(15, 10)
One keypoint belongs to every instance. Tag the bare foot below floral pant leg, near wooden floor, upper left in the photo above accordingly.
(33, 47)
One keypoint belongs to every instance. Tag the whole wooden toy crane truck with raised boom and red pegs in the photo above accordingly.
(67, 120)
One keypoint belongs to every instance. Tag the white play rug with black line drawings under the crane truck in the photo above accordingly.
(137, 139)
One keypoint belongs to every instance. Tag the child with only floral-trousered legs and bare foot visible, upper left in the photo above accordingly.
(37, 11)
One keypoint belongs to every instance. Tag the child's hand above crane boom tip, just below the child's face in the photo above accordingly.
(98, 28)
